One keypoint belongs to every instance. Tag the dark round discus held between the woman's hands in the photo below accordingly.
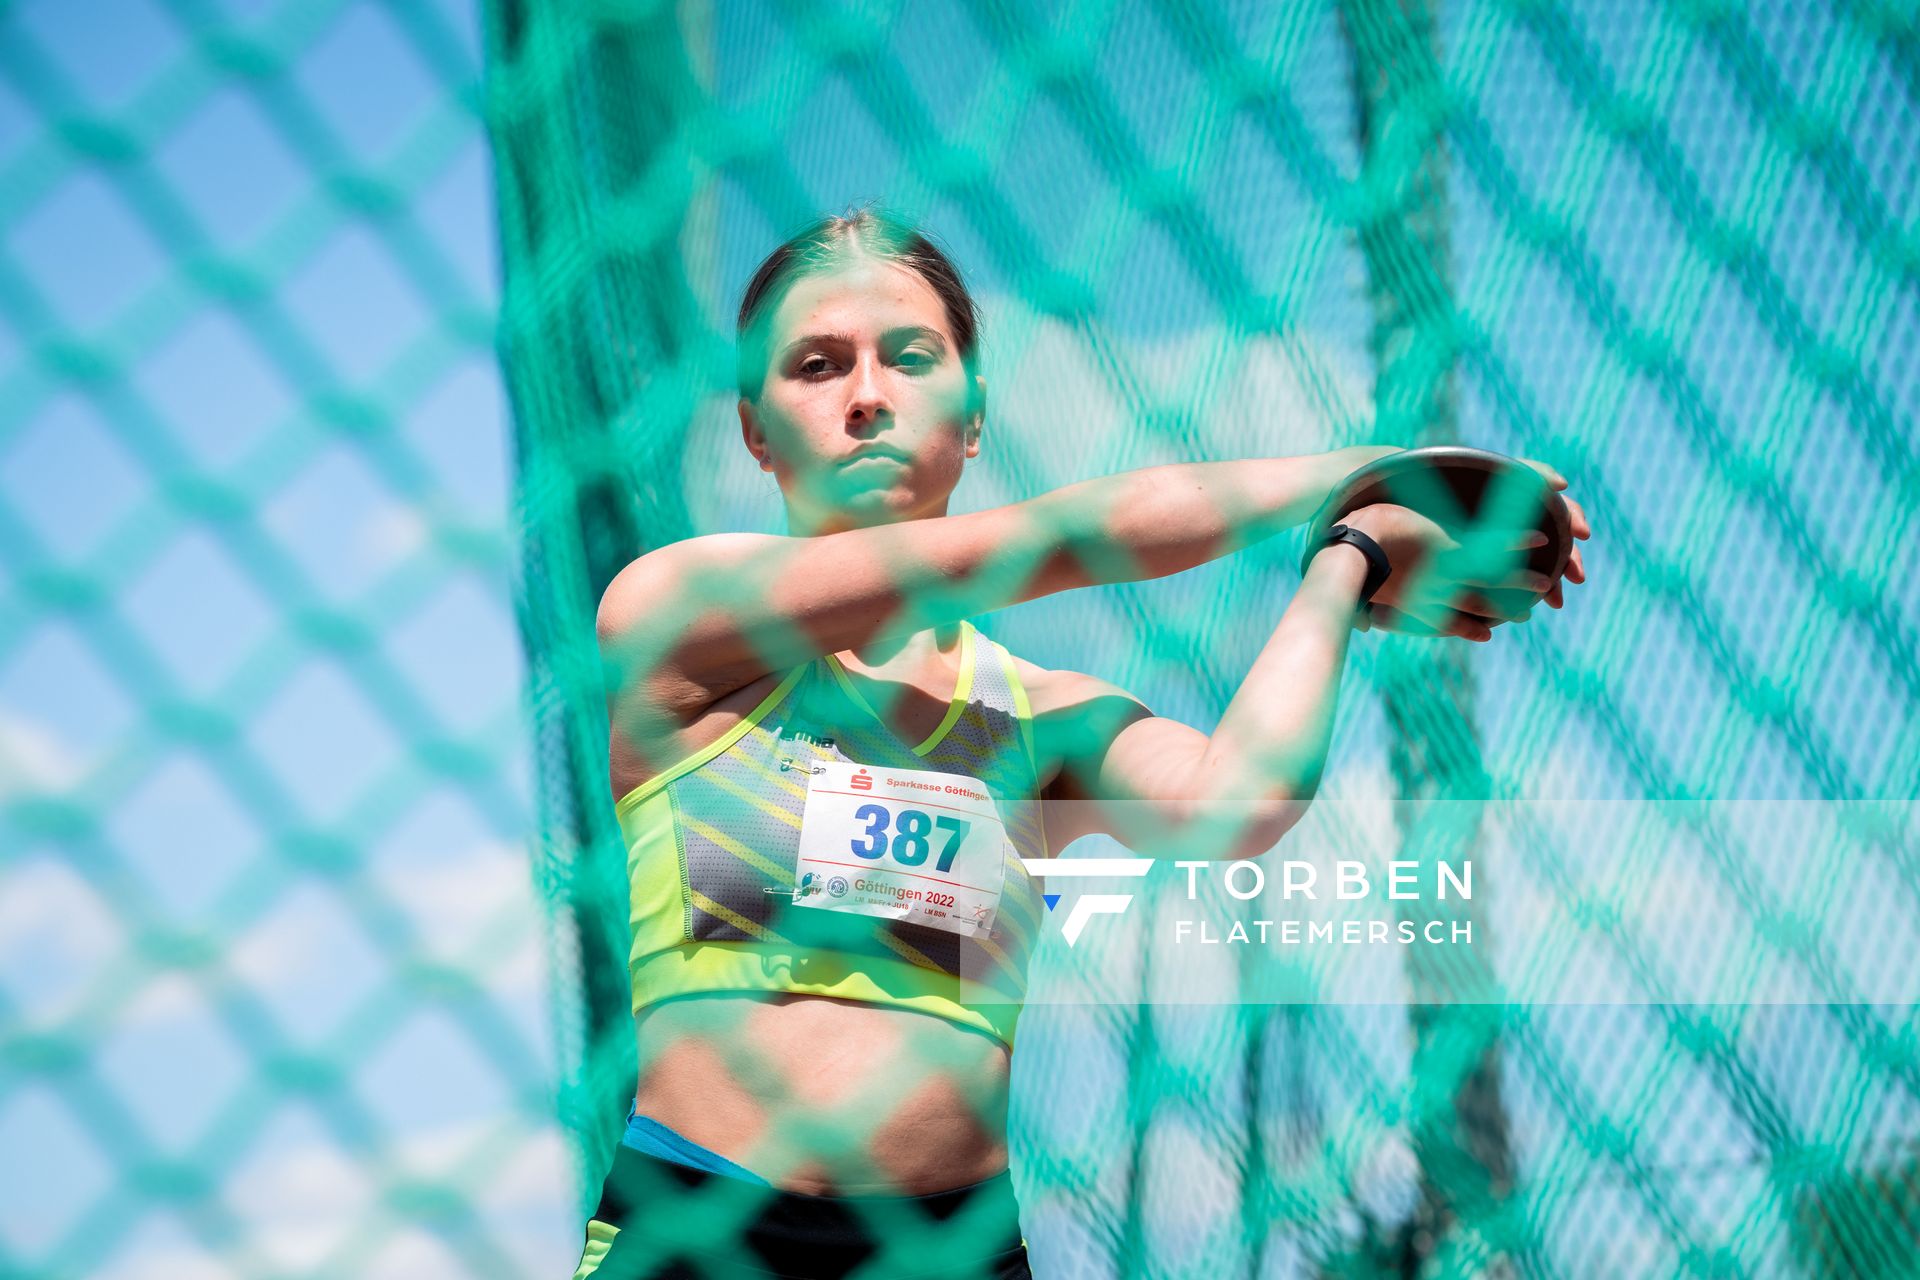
(1462, 490)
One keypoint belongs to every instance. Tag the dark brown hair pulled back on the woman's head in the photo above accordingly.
(832, 241)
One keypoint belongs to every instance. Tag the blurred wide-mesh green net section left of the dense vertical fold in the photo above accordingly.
(272, 974)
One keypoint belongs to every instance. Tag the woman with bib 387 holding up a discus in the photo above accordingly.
(827, 776)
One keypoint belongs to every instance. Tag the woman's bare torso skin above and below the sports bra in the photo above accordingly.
(817, 1095)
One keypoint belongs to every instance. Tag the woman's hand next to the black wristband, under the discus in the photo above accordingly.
(1437, 581)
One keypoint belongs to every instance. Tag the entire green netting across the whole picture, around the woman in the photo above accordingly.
(1664, 247)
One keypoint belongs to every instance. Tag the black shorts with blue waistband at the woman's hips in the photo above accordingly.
(665, 1221)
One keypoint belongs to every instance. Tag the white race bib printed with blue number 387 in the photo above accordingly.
(901, 843)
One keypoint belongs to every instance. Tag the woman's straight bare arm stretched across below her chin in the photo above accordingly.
(694, 621)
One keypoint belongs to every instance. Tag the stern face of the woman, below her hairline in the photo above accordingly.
(863, 417)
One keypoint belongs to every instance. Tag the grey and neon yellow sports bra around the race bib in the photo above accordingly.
(713, 841)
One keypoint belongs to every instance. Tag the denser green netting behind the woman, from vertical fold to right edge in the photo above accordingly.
(1664, 247)
